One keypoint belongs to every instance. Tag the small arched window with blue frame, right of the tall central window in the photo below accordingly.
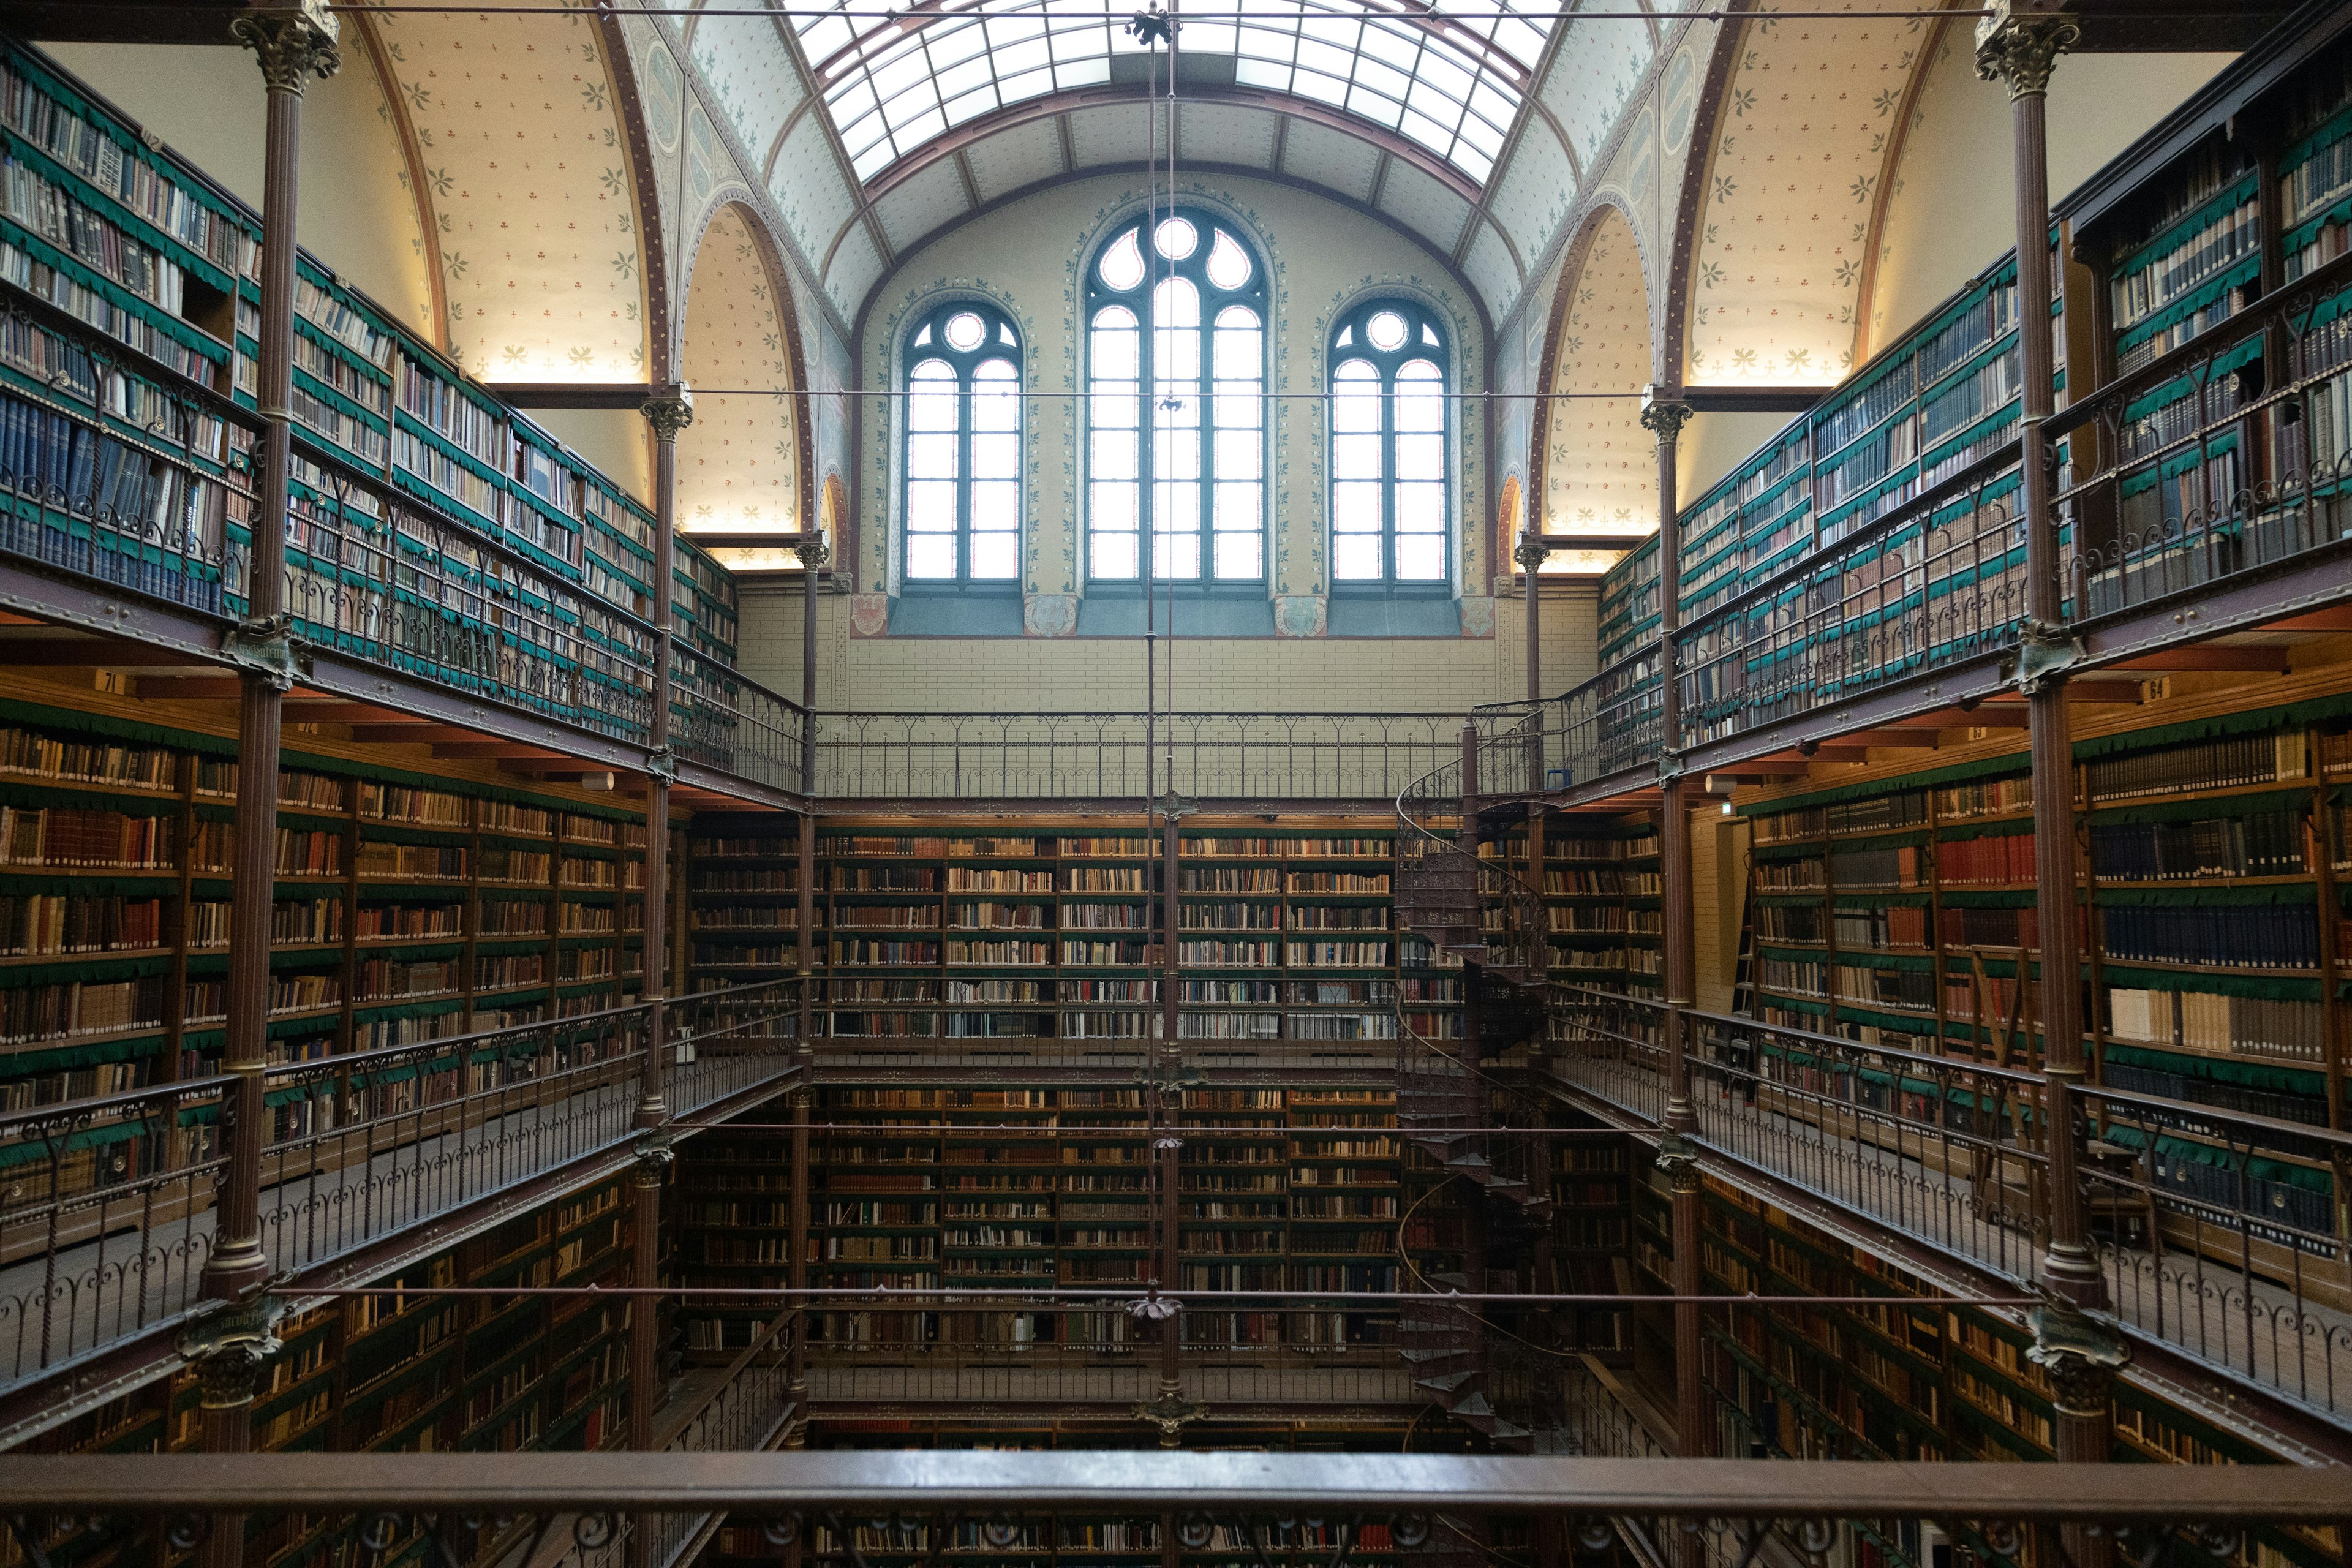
(1391, 490)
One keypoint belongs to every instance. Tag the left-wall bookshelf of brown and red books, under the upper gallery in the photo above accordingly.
(410, 906)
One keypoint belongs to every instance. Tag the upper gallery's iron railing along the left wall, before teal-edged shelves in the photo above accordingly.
(145, 481)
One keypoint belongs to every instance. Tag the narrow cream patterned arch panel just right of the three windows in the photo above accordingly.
(1601, 471)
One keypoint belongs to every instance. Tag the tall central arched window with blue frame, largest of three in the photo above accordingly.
(1177, 349)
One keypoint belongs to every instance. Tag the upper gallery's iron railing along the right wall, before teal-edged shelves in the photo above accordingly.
(2217, 464)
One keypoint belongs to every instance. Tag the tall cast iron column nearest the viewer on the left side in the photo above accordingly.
(293, 46)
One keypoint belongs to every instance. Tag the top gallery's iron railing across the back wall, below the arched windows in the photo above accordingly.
(1107, 756)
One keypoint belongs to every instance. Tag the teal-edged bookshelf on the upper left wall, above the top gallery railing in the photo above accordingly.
(145, 255)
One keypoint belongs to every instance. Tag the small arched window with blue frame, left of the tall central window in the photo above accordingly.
(963, 448)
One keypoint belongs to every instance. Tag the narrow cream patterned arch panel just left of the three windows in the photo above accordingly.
(737, 464)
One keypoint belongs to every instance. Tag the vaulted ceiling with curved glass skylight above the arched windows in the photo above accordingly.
(876, 130)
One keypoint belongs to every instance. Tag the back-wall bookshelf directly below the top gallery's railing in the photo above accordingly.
(954, 939)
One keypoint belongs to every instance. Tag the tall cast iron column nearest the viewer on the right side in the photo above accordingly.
(2076, 1351)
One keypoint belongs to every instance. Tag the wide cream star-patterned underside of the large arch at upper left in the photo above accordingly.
(519, 135)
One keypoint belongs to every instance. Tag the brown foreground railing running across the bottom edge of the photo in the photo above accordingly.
(876, 1508)
